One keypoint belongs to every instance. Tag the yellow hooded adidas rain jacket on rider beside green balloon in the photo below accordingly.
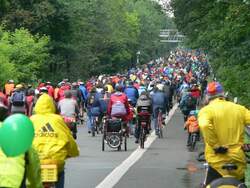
(53, 139)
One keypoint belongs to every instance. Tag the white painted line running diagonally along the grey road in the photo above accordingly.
(113, 178)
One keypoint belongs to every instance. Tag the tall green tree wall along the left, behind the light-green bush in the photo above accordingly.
(89, 37)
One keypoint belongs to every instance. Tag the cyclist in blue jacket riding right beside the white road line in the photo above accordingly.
(159, 101)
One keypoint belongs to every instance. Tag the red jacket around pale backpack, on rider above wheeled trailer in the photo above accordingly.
(118, 96)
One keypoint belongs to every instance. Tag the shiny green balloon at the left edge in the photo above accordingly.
(16, 135)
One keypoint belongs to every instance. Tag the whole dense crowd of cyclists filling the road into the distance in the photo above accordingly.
(180, 78)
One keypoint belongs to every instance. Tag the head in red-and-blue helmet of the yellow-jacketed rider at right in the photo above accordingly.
(214, 90)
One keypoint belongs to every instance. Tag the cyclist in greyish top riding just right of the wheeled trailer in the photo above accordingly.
(144, 110)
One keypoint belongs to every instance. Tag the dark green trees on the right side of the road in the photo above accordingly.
(222, 28)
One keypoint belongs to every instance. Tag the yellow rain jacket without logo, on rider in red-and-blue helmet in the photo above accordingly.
(222, 123)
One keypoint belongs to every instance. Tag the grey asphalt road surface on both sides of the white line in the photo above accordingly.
(166, 163)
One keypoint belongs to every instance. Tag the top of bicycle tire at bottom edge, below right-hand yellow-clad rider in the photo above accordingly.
(227, 181)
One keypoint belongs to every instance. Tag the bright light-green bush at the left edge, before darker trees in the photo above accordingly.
(22, 55)
